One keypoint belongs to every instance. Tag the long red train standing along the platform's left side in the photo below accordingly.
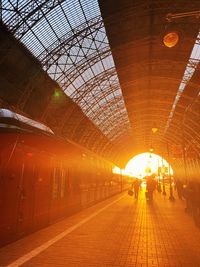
(45, 178)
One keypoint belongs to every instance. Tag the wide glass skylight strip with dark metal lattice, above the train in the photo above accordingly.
(69, 39)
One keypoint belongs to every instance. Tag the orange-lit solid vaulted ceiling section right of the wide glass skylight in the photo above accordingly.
(150, 73)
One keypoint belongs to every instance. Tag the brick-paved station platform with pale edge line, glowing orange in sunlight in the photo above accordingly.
(119, 231)
